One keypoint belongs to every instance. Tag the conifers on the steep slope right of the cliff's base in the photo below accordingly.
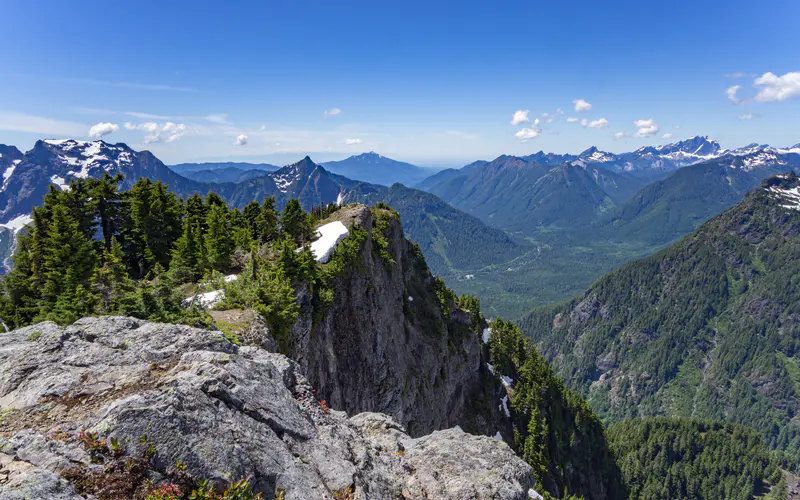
(557, 432)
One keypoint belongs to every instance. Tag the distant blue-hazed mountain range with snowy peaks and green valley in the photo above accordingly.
(570, 218)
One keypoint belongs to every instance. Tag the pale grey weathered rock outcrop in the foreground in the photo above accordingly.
(223, 411)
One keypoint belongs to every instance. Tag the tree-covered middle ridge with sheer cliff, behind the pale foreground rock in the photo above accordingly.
(95, 250)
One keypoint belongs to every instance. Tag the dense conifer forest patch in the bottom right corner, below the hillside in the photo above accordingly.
(683, 459)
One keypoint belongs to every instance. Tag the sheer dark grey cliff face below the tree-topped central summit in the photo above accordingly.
(385, 345)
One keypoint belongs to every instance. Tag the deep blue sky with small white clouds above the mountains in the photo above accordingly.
(427, 82)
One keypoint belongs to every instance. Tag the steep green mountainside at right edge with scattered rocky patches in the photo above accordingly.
(708, 328)
